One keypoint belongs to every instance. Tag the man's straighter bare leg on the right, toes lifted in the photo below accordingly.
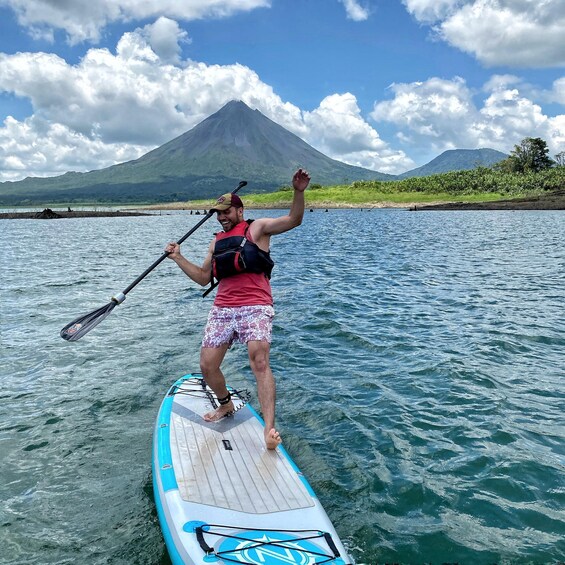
(266, 388)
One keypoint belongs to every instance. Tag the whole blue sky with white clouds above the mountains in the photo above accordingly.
(383, 84)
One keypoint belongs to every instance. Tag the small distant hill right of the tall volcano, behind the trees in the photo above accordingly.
(457, 160)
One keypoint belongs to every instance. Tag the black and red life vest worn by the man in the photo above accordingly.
(234, 254)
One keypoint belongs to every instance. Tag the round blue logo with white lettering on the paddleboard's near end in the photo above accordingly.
(271, 549)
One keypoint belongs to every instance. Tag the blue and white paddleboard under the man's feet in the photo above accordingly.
(222, 497)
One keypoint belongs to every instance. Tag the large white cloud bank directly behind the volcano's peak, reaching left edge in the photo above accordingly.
(109, 108)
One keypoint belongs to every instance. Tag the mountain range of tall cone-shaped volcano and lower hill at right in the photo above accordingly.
(235, 143)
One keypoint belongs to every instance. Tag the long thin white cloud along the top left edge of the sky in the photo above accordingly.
(83, 20)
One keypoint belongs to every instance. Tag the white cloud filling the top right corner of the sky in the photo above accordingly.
(525, 33)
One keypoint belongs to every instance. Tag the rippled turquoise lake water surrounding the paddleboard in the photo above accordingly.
(419, 360)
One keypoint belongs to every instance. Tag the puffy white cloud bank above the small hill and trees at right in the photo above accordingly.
(442, 114)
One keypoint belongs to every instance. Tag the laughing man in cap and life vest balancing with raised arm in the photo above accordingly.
(243, 307)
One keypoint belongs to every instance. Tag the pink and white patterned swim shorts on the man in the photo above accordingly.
(241, 324)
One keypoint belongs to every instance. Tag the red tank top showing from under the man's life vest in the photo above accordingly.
(244, 289)
